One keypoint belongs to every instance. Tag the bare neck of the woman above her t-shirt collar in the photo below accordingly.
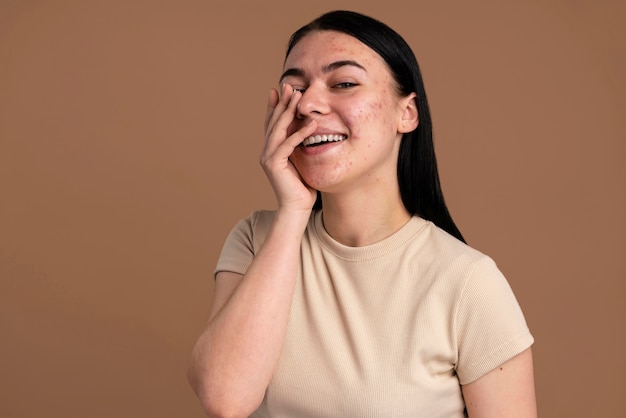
(361, 219)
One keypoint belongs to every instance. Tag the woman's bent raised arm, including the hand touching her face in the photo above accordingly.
(234, 359)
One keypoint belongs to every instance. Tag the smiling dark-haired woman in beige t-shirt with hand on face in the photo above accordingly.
(357, 296)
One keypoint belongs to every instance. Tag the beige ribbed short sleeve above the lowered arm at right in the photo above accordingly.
(490, 325)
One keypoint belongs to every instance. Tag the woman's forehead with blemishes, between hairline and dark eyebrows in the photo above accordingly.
(319, 48)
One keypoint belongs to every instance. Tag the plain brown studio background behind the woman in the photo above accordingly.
(129, 136)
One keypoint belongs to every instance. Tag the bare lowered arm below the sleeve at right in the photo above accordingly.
(508, 391)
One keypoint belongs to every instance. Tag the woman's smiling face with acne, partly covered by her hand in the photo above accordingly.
(349, 91)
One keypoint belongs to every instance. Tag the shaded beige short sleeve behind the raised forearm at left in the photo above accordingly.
(243, 242)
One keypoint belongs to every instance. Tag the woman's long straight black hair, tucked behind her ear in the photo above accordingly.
(418, 178)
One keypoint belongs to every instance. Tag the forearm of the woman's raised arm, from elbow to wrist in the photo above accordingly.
(235, 357)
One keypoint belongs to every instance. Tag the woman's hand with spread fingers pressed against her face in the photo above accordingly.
(291, 191)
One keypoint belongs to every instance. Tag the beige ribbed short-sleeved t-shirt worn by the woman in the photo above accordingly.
(386, 330)
